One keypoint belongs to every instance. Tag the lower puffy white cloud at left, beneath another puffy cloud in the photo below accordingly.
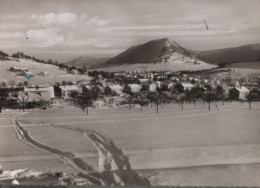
(44, 37)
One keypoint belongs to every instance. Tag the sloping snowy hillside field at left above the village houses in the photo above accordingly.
(55, 74)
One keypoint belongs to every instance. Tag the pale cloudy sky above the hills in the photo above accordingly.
(65, 29)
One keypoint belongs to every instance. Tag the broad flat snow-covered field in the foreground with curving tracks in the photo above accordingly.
(192, 146)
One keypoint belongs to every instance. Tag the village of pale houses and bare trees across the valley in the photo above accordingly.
(130, 89)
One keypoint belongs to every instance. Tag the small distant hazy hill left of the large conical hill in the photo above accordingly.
(88, 62)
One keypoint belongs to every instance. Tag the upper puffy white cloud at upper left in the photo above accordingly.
(56, 19)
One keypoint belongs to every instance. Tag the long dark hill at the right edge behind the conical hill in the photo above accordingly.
(246, 53)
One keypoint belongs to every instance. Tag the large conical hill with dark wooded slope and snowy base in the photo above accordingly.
(161, 54)
